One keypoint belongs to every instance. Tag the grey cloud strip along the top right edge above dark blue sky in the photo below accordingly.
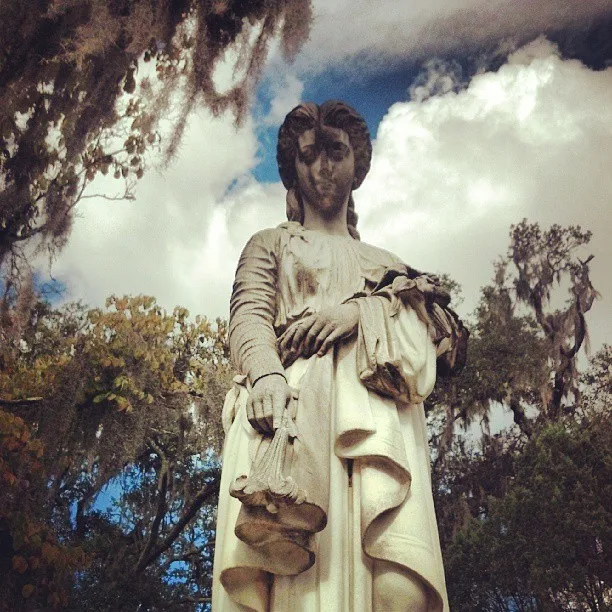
(354, 33)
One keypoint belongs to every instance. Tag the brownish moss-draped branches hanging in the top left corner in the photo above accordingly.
(72, 106)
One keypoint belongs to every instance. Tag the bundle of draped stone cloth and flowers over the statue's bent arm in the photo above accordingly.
(407, 335)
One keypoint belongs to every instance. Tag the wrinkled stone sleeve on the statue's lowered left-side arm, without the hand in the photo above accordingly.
(252, 308)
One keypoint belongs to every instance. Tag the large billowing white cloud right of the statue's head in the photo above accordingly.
(450, 174)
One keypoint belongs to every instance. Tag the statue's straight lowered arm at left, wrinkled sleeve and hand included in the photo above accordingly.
(251, 333)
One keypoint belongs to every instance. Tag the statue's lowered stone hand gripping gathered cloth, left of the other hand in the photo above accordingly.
(267, 402)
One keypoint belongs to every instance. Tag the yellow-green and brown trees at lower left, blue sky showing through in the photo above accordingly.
(124, 400)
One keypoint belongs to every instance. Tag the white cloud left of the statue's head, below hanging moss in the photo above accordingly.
(162, 244)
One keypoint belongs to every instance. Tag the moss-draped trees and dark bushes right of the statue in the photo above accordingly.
(524, 514)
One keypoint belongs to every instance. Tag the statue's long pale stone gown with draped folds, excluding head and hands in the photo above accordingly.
(361, 403)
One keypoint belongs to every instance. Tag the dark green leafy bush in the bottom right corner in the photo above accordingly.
(544, 545)
